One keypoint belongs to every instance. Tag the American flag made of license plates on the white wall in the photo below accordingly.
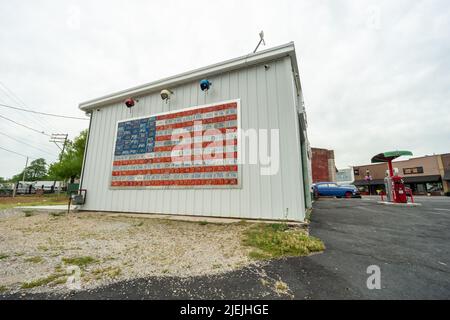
(193, 147)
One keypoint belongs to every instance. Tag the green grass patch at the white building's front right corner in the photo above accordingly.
(276, 240)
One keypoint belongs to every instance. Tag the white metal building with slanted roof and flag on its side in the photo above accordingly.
(264, 91)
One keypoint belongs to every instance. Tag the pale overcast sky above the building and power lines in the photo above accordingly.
(375, 74)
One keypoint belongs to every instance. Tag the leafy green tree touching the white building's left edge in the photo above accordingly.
(71, 161)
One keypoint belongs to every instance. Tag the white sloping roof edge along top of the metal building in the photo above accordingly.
(287, 49)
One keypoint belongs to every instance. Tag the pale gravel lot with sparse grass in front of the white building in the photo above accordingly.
(36, 248)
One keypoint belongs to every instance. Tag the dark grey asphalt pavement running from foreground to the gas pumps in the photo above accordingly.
(411, 246)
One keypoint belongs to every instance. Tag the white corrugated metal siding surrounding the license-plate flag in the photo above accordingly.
(267, 102)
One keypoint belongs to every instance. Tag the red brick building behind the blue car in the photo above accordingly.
(323, 166)
